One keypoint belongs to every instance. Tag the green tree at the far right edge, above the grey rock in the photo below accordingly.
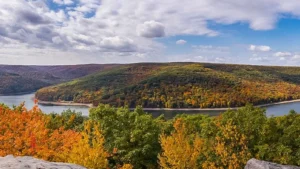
(281, 140)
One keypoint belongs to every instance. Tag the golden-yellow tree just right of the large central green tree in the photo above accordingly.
(180, 150)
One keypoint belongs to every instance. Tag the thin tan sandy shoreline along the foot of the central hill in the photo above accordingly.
(65, 103)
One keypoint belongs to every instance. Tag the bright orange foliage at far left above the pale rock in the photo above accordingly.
(24, 133)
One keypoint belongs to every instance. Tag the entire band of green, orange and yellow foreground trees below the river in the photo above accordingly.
(125, 139)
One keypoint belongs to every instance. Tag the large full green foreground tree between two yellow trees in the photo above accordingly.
(130, 137)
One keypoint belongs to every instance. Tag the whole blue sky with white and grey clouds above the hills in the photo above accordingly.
(58, 32)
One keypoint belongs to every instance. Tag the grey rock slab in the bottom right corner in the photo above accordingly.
(258, 164)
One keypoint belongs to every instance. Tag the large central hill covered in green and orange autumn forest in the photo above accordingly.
(180, 85)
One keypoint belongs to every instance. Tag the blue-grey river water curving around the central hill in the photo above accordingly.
(276, 110)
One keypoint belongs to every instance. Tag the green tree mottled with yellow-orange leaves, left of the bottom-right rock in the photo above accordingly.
(237, 133)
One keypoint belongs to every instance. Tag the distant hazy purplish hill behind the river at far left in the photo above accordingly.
(16, 79)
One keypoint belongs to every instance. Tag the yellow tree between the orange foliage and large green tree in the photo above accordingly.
(89, 151)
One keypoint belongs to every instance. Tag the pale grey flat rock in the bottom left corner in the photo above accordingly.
(11, 162)
